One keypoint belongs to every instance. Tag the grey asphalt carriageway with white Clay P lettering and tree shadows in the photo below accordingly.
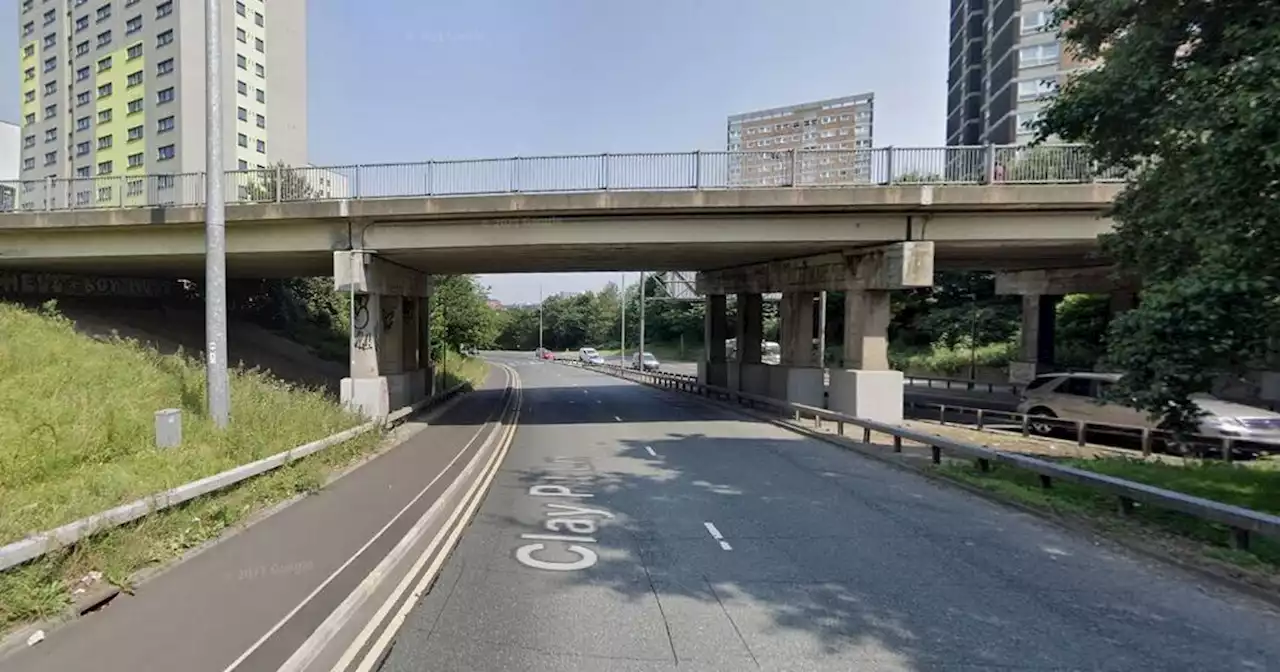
(634, 531)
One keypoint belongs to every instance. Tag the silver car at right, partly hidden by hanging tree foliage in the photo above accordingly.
(1085, 396)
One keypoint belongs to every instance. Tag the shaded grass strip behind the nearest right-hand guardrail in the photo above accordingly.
(1250, 486)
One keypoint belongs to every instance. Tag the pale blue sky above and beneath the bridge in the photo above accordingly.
(418, 80)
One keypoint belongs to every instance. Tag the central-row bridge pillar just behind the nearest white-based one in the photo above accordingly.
(799, 378)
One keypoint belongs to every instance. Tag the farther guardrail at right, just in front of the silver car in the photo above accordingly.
(1146, 438)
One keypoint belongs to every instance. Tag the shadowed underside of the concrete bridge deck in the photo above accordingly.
(977, 255)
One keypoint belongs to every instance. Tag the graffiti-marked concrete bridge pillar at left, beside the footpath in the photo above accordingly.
(386, 362)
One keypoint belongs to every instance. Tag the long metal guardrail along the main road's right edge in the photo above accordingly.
(1242, 523)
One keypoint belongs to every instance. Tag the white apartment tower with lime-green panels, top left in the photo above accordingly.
(115, 92)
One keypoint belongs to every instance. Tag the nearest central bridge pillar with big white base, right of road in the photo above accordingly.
(866, 387)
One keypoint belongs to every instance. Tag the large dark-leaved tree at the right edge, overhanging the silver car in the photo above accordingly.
(1185, 99)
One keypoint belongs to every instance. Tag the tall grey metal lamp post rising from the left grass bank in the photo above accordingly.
(216, 223)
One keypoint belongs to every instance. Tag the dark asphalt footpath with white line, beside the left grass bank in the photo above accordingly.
(239, 597)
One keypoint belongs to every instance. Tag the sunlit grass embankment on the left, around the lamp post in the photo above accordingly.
(77, 437)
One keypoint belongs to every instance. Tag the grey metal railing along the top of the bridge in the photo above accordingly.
(843, 168)
